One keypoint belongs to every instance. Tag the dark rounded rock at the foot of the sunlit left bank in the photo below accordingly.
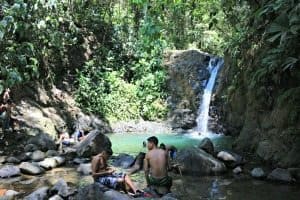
(43, 141)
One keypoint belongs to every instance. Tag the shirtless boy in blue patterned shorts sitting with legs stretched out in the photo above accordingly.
(107, 175)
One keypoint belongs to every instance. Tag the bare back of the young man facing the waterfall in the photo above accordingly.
(157, 159)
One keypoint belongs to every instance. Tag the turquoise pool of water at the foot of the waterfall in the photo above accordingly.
(132, 143)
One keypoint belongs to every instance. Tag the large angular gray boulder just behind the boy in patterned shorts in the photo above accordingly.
(93, 144)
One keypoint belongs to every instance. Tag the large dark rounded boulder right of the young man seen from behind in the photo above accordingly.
(195, 161)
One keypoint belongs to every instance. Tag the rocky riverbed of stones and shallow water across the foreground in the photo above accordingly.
(207, 173)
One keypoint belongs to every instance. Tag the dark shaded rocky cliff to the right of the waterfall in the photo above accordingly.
(264, 117)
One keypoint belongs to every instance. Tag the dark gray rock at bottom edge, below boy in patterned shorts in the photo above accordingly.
(90, 192)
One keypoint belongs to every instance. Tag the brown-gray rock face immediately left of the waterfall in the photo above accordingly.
(187, 72)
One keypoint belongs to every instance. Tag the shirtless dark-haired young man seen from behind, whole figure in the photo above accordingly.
(156, 165)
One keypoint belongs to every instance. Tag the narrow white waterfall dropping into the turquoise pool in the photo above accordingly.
(203, 111)
